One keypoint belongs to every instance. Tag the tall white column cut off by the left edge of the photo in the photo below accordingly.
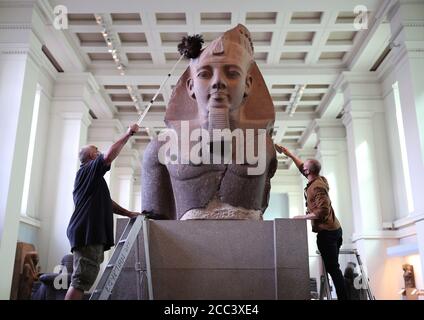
(20, 56)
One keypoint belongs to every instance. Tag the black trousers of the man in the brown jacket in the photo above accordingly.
(329, 243)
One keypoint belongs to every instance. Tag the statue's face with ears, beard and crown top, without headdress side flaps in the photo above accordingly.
(220, 78)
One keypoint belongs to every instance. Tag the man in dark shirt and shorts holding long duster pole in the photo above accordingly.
(90, 230)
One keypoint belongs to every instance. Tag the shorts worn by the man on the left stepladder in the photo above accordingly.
(87, 262)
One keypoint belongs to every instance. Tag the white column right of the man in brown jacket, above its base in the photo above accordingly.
(372, 194)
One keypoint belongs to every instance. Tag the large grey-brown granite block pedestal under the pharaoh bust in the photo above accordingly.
(219, 259)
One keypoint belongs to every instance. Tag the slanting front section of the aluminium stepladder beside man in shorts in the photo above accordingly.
(119, 256)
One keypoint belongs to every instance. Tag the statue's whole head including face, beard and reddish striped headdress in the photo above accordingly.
(223, 87)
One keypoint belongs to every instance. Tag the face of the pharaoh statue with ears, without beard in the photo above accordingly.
(220, 81)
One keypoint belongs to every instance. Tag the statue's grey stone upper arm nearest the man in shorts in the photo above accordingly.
(157, 194)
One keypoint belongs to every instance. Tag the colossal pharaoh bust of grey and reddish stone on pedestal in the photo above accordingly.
(217, 157)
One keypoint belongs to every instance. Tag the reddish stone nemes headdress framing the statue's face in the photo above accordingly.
(257, 110)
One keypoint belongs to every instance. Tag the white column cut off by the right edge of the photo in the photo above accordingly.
(407, 24)
